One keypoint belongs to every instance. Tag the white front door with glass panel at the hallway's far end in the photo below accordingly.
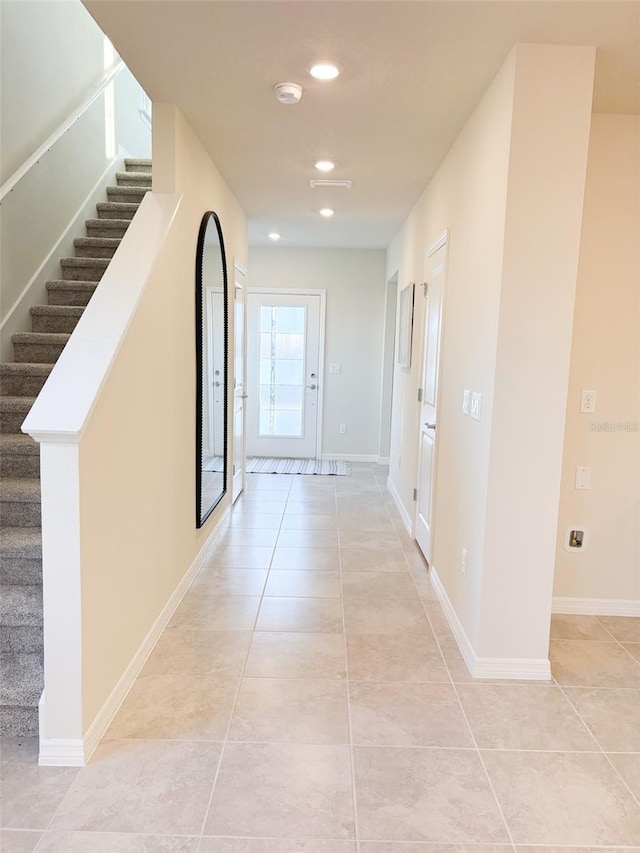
(284, 372)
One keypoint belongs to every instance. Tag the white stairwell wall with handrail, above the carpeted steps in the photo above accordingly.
(52, 59)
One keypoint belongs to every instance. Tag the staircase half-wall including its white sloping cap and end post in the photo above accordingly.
(122, 400)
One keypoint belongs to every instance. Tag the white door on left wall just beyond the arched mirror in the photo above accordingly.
(239, 393)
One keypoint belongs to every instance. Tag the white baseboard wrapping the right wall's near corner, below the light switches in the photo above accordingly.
(527, 669)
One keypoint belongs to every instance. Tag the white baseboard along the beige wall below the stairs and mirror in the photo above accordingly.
(74, 753)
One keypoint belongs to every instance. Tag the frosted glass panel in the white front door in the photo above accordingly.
(282, 346)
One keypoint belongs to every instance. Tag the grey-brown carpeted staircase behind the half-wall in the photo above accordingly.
(35, 353)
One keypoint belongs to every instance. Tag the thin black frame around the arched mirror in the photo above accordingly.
(200, 355)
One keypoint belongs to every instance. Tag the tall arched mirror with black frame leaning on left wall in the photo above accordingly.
(211, 367)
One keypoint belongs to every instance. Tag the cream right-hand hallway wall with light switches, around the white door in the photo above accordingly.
(510, 190)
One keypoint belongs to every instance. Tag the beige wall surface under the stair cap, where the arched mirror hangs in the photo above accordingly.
(137, 481)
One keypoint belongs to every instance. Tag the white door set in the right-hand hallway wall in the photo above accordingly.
(433, 295)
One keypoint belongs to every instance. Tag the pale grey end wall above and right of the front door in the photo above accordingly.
(355, 283)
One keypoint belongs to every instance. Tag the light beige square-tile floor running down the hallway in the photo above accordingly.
(308, 697)
